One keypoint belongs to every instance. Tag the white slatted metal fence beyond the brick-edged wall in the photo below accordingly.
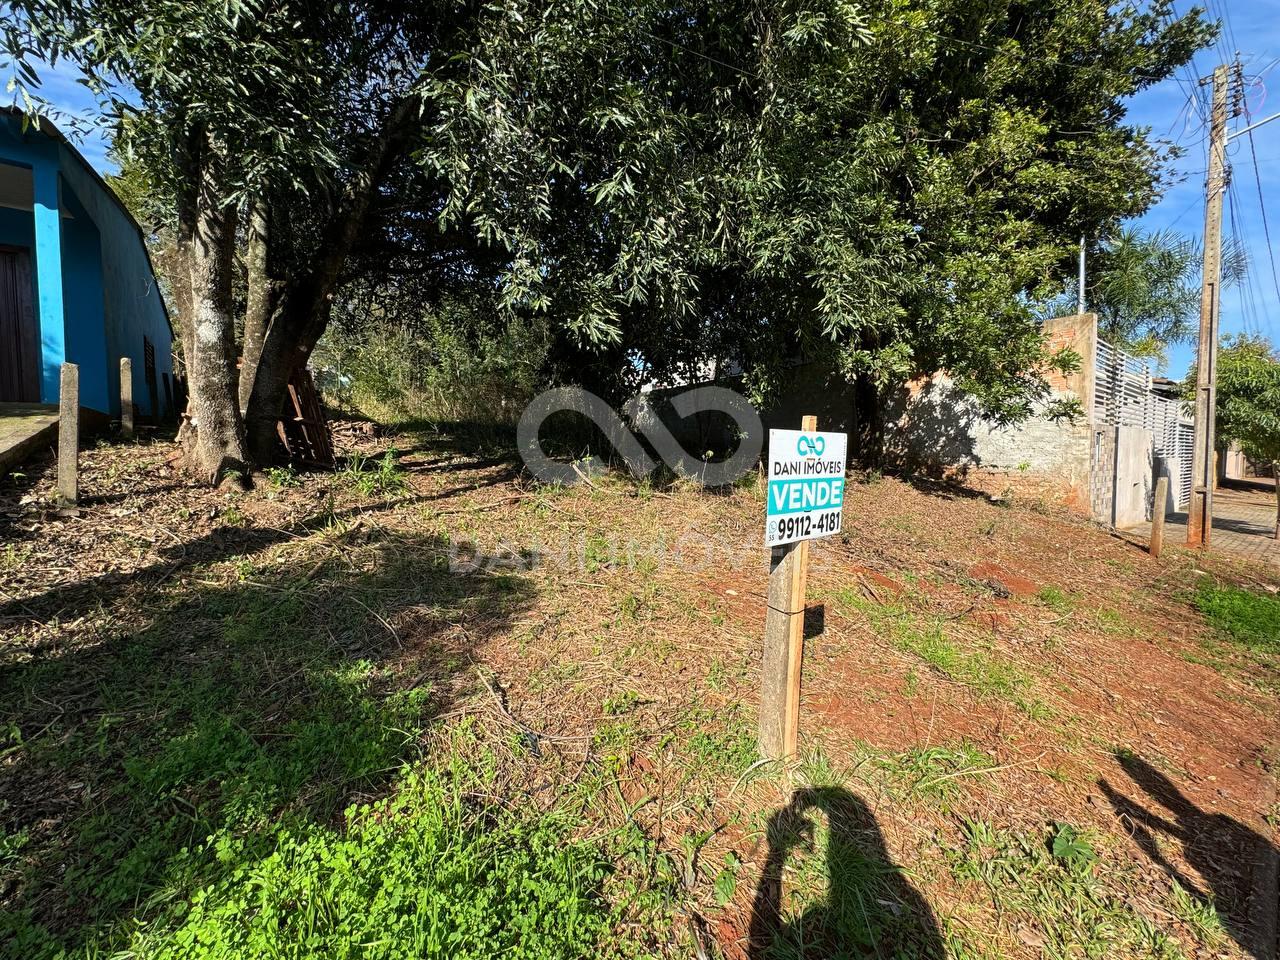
(1123, 397)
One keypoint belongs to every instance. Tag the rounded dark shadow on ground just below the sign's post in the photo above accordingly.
(870, 908)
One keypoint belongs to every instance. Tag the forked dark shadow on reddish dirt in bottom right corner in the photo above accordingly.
(1220, 849)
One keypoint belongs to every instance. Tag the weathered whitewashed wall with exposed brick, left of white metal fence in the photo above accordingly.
(936, 428)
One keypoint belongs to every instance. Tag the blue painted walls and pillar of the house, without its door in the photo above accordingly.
(95, 291)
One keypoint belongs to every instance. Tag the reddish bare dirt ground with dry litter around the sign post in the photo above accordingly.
(1021, 738)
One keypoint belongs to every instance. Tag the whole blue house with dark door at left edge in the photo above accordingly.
(76, 281)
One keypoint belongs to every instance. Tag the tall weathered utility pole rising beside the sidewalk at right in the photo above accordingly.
(1200, 523)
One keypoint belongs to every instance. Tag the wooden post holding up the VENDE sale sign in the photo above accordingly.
(784, 646)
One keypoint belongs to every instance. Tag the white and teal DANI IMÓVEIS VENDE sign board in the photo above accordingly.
(807, 486)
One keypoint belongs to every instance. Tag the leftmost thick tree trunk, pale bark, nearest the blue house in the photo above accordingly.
(218, 452)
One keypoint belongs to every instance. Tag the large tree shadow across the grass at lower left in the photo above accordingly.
(145, 761)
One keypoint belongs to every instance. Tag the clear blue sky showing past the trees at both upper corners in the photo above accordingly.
(1176, 111)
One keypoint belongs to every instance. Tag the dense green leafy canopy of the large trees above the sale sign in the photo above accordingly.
(743, 188)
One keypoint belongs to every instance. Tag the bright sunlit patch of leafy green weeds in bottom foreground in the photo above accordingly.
(423, 874)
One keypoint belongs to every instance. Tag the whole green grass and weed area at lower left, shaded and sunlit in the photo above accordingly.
(257, 787)
